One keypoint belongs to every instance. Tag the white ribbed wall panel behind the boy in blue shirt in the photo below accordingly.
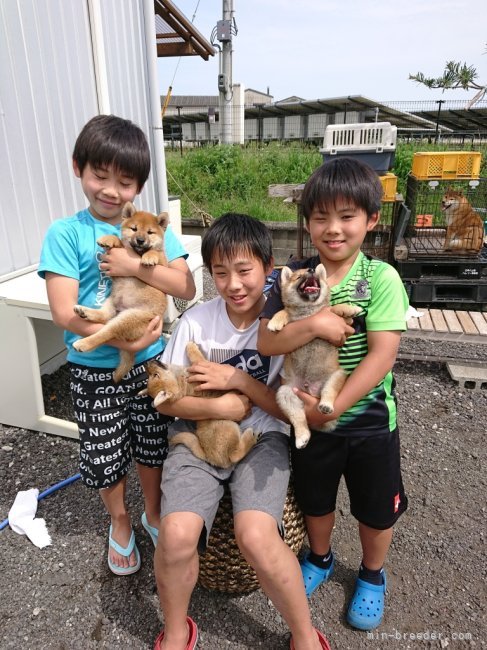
(47, 92)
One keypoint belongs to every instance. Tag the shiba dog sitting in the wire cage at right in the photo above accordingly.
(464, 226)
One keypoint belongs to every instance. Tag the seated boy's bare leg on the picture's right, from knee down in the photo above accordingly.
(278, 572)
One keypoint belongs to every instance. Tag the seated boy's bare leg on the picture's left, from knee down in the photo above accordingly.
(176, 566)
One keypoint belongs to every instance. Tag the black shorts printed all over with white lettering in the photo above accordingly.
(115, 423)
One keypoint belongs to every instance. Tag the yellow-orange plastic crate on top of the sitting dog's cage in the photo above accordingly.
(446, 165)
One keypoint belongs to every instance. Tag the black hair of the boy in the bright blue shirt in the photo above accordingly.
(111, 140)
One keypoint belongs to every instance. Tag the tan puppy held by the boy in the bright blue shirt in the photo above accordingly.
(132, 303)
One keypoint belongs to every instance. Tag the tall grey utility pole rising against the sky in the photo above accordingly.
(225, 29)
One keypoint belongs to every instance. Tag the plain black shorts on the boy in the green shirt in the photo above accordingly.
(372, 470)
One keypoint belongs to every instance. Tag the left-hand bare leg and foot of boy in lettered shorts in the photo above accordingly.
(114, 500)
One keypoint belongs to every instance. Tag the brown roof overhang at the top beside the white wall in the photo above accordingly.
(176, 35)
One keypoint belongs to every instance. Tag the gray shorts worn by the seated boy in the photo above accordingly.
(258, 482)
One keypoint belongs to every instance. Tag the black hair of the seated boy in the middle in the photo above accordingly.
(232, 233)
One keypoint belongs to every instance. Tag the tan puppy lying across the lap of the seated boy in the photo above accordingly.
(217, 442)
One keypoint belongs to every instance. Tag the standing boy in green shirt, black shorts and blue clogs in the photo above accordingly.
(341, 203)
